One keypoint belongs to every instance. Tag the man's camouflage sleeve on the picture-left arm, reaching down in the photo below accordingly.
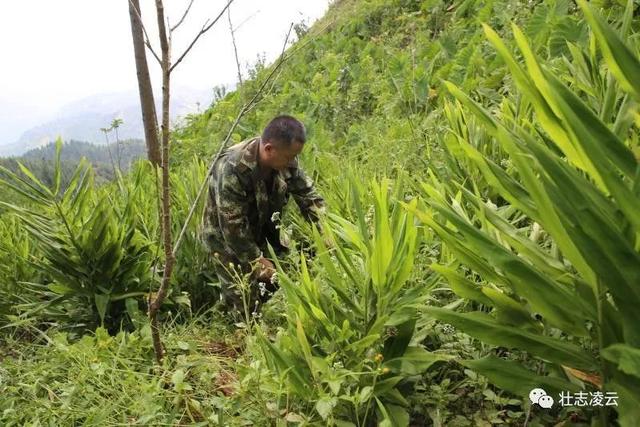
(233, 206)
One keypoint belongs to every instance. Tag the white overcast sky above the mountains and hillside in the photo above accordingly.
(55, 52)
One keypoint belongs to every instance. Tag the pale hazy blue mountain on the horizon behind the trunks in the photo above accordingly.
(83, 119)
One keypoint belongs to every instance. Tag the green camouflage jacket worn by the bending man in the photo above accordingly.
(238, 216)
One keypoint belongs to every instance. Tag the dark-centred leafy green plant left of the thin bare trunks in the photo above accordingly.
(91, 248)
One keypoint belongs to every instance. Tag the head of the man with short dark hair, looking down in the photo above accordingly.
(282, 140)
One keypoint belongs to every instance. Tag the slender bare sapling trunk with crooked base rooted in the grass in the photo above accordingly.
(156, 303)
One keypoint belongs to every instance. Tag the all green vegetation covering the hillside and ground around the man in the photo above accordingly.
(480, 161)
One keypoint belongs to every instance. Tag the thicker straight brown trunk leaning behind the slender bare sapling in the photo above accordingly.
(149, 118)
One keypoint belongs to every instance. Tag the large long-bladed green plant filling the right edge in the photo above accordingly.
(570, 299)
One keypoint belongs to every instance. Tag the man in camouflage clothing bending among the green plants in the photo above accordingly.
(250, 184)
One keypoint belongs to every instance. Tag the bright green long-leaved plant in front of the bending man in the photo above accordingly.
(351, 316)
